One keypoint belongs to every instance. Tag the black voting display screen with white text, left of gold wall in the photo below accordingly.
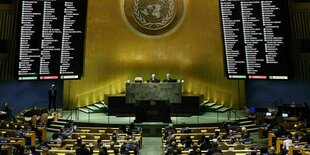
(50, 39)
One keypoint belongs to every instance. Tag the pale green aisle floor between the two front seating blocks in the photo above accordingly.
(151, 146)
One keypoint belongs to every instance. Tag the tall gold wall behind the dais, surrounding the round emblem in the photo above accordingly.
(115, 52)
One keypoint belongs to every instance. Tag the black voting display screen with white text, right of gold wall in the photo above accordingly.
(256, 38)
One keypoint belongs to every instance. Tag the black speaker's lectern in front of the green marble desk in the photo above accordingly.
(152, 111)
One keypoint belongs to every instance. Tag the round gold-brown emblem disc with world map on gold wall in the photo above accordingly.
(153, 17)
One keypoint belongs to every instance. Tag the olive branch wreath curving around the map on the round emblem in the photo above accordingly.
(163, 22)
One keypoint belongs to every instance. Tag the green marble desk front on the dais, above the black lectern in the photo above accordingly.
(153, 91)
